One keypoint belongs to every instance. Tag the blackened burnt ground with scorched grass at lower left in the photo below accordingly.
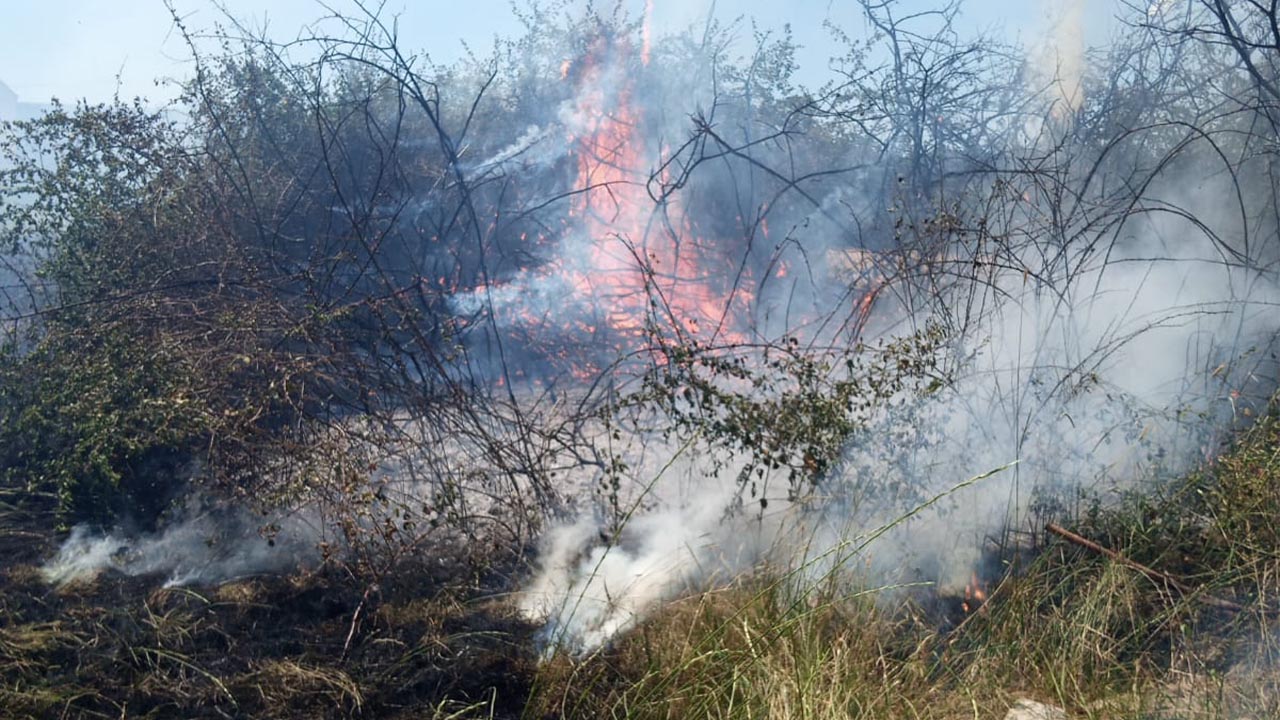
(436, 641)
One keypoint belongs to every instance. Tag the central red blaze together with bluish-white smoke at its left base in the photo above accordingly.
(630, 259)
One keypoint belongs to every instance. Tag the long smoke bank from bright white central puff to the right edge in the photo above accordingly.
(1090, 380)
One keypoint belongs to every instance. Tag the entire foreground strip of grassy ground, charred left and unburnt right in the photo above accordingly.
(1069, 628)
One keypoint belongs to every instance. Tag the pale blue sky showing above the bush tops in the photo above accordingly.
(92, 49)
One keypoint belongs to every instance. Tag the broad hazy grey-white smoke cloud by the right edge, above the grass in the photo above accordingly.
(1132, 379)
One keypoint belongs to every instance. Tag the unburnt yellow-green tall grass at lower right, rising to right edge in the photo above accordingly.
(1069, 627)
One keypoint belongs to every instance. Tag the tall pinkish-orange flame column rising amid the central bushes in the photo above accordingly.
(638, 250)
